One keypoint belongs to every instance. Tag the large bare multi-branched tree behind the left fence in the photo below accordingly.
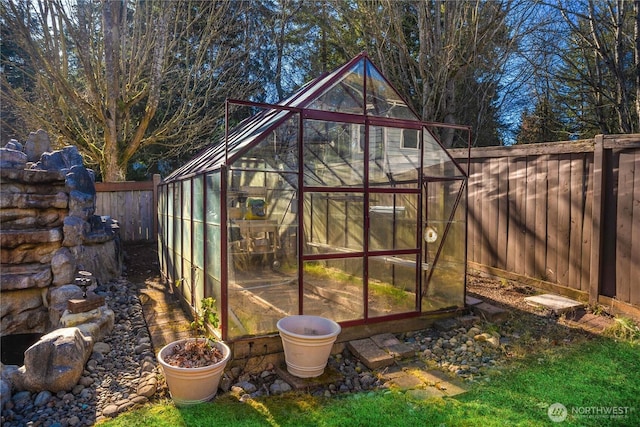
(106, 70)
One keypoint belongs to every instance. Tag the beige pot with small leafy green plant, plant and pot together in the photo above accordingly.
(193, 366)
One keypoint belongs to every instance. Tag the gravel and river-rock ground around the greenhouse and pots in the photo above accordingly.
(122, 372)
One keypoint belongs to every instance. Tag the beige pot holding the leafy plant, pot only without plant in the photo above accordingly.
(189, 386)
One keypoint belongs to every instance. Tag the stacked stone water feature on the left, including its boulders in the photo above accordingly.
(49, 233)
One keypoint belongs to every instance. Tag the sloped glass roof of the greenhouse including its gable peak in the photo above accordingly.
(356, 88)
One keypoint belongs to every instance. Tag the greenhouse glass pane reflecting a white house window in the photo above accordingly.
(394, 156)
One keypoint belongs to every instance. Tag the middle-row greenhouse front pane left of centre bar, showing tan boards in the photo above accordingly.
(334, 223)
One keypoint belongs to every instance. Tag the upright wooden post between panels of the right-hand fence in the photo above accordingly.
(599, 177)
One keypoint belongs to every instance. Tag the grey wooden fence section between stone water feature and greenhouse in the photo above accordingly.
(133, 204)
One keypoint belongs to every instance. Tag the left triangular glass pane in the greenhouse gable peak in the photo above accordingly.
(346, 95)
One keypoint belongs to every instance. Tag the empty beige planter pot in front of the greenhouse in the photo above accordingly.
(307, 342)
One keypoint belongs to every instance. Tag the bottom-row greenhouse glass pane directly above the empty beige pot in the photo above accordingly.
(333, 288)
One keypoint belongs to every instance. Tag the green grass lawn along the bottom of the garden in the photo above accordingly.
(592, 380)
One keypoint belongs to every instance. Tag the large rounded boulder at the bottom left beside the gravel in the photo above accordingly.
(55, 363)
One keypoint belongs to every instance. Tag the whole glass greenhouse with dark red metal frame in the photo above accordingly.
(338, 202)
